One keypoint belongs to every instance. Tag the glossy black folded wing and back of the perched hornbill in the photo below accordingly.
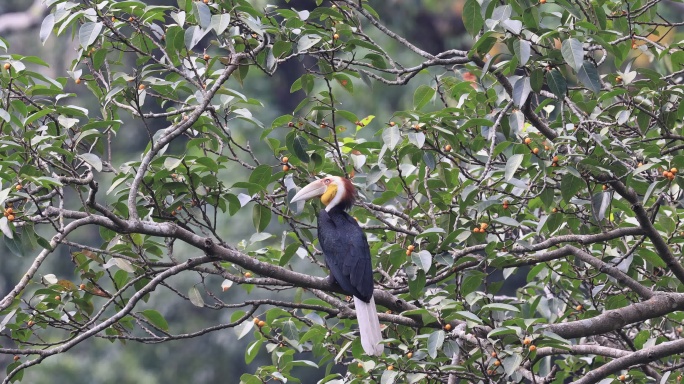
(346, 253)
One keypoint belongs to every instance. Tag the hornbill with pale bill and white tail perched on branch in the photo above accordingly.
(347, 254)
